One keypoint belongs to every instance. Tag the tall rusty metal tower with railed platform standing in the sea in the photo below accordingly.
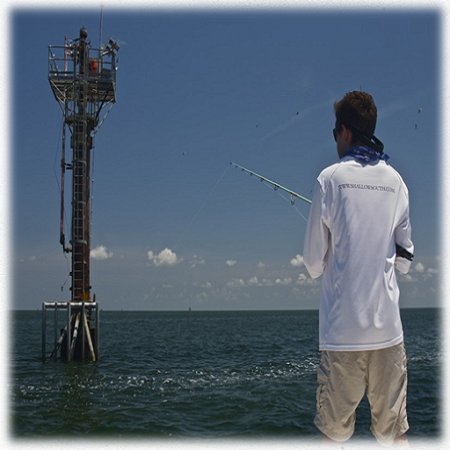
(83, 81)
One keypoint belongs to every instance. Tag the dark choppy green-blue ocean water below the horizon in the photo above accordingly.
(177, 375)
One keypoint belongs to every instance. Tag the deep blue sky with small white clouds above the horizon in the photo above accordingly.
(175, 226)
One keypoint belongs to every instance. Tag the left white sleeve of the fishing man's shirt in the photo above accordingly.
(315, 246)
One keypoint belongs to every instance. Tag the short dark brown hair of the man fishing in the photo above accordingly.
(357, 110)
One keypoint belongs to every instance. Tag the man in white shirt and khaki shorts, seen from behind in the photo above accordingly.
(358, 233)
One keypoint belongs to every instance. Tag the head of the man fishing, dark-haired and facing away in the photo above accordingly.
(356, 114)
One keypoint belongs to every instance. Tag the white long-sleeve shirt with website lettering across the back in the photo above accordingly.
(359, 212)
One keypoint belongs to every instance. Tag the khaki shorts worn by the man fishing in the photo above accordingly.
(343, 379)
